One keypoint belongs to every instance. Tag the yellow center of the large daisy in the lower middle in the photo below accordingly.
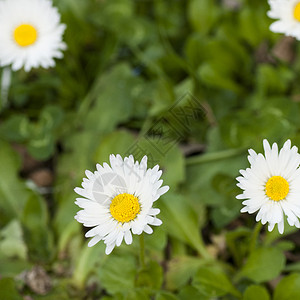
(124, 207)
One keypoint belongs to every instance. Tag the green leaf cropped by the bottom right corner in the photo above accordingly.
(288, 288)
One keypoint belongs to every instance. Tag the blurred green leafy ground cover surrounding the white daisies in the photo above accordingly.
(133, 66)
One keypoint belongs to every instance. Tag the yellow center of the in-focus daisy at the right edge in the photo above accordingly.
(277, 188)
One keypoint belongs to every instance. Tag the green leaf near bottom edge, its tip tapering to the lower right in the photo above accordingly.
(213, 282)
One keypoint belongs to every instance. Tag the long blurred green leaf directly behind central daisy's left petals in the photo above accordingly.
(79, 148)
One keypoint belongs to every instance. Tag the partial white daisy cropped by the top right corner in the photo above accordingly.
(288, 14)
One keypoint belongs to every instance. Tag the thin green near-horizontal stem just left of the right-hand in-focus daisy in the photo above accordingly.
(213, 156)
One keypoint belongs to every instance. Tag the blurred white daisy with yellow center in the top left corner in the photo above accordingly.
(30, 35)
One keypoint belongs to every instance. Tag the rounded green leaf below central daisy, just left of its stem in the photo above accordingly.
(117, 274)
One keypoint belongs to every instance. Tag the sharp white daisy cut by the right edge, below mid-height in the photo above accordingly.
(272, 185)
